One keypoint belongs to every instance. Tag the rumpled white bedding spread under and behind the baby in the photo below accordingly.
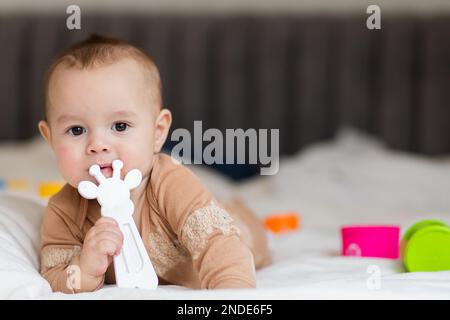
(353, 179)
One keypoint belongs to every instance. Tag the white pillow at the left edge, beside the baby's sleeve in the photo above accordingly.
(20, 220)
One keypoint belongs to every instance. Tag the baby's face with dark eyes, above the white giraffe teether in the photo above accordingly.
(99, 115)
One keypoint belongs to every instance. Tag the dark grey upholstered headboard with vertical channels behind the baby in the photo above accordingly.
(303, 75)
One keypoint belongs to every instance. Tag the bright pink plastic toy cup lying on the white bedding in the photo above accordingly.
(371, 241)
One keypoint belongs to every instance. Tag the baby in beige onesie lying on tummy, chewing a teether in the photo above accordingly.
(103, 101)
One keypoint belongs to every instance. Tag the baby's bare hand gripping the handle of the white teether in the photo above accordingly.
(103, 241)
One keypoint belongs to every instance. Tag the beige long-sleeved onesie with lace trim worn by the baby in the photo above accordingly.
(191, 238)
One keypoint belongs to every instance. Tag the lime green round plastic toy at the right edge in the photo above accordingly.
(426, 246)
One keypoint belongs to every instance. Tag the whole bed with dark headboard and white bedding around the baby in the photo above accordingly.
(364, 136)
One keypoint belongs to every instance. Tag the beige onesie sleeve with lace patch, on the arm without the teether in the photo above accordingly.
(203, 227)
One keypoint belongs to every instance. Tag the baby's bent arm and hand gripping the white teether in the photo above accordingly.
(72, 264)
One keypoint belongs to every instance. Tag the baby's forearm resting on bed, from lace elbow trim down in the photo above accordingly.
(219, 255)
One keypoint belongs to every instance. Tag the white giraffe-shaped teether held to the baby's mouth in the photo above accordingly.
(132, 266)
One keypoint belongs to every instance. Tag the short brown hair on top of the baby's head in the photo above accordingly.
(97, 50)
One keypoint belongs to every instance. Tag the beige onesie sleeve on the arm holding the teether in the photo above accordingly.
(61, 242)
